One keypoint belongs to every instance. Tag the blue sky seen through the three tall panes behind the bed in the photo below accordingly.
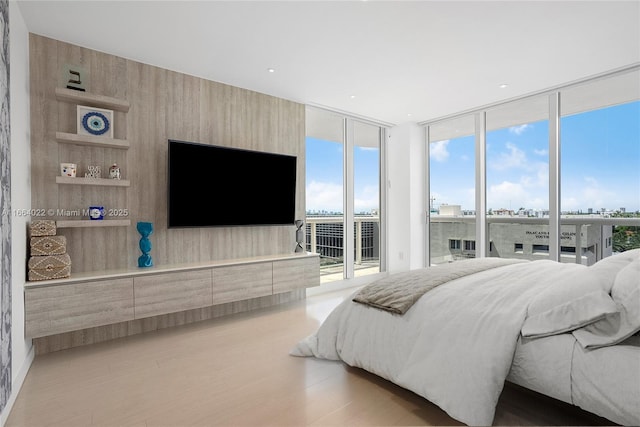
(600, 164)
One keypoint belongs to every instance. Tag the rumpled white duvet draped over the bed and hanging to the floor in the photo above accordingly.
(454, 347)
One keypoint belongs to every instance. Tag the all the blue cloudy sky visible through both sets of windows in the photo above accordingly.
(600, 167)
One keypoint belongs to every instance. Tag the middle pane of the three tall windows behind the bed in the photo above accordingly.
(517, 171)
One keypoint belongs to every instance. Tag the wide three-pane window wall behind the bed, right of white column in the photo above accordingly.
(559, 174)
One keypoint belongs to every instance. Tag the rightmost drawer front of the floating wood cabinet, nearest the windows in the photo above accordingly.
(295, 274)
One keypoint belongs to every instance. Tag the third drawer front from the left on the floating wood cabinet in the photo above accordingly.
(239, 282)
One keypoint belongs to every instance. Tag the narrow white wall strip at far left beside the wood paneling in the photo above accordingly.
(21, 348)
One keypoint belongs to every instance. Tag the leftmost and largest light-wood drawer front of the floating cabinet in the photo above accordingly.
(56, 309)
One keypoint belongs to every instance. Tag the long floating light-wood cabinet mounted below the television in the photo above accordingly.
(58, 306)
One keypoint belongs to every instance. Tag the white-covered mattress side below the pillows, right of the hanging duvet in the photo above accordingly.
(593, 380)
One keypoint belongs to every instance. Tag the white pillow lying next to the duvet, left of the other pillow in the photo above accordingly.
(575, 298)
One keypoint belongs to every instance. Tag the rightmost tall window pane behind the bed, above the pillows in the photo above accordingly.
(600, 134)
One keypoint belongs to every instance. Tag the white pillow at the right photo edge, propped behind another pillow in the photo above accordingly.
(615, 328)
